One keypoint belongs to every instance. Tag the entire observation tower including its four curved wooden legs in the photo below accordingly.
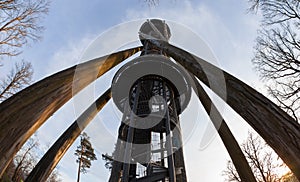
(23, 113)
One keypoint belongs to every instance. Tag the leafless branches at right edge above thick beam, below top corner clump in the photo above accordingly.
(277, 60)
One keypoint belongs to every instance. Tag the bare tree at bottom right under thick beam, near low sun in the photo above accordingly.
(263, 161)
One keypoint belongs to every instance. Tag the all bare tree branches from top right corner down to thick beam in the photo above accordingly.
(277, 51)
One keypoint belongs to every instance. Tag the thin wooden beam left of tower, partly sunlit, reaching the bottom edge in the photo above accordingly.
(49, 161)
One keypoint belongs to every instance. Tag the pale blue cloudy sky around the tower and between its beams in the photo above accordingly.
(220, 31)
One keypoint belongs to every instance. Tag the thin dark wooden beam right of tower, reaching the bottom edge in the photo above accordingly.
(232, 146)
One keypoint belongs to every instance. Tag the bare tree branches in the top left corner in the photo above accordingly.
(20, 24)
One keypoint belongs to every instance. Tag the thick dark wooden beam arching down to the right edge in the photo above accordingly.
(274, 125)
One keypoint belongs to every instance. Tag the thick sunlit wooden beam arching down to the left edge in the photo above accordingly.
(23, 113)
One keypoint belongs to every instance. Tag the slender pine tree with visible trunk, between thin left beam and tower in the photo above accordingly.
(85, 153)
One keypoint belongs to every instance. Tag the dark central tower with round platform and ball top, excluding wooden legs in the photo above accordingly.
(150, 111)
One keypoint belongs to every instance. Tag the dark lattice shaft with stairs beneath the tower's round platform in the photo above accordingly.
(138, 142)
